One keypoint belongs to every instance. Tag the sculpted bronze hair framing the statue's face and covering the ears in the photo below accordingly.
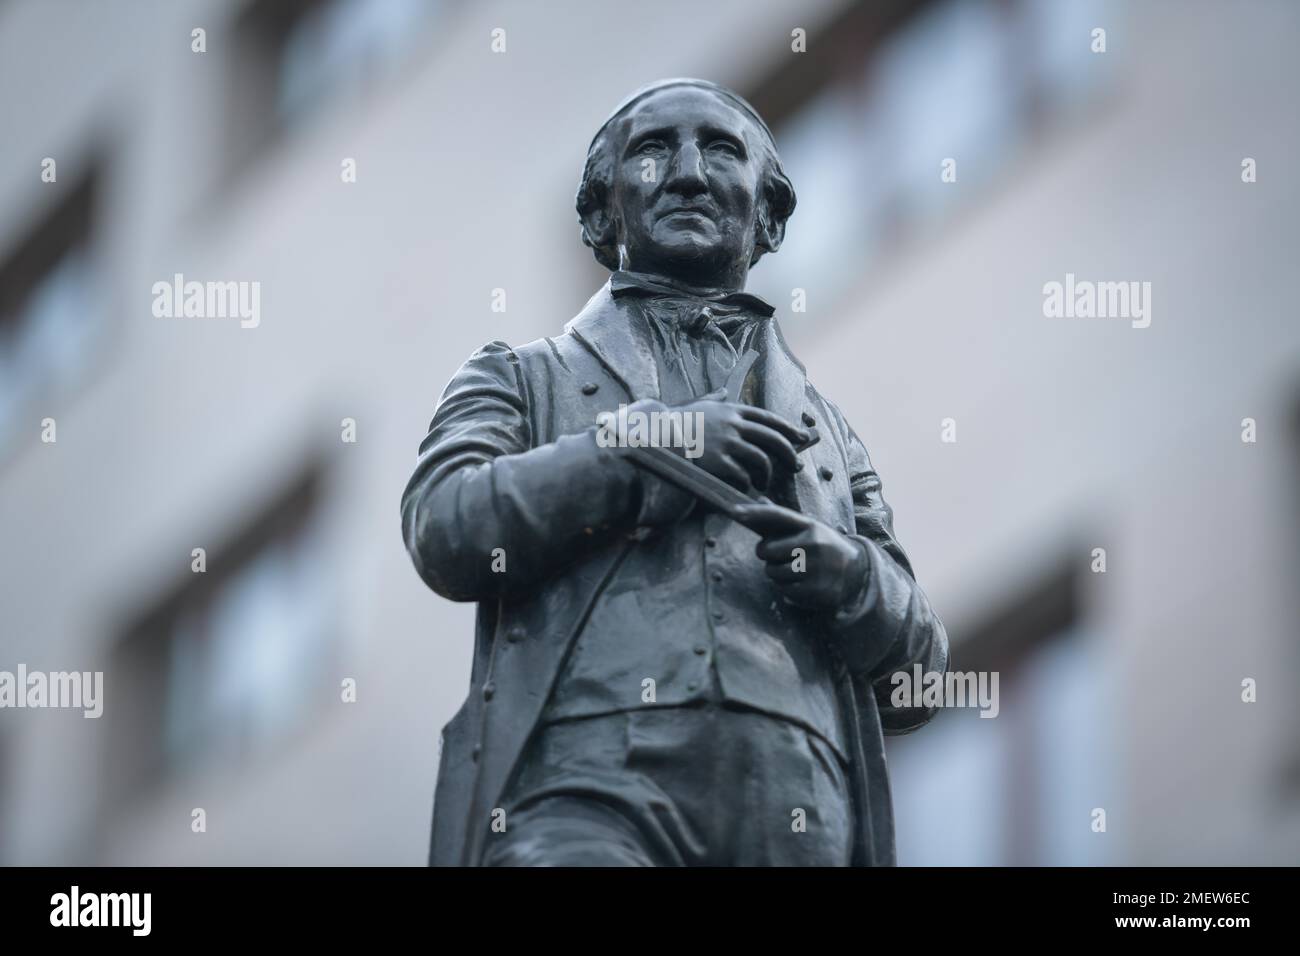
(777, 200)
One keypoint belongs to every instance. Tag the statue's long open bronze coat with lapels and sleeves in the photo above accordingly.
(512, 464)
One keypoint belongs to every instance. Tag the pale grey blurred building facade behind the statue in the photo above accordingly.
(397, 178)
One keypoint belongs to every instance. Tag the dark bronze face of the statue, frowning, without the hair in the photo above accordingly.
(690, 213)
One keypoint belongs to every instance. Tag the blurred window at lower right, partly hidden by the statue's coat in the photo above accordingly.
(1019, 789)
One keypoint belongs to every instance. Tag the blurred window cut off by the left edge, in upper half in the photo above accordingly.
(50, 315)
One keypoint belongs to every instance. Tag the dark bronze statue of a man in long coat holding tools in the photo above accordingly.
(660, 680)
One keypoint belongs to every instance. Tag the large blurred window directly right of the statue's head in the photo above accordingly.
(895, 90)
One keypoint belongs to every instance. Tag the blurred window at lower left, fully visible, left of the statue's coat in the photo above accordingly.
(233, 660)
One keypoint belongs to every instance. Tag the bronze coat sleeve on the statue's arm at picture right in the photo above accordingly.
(890, 626)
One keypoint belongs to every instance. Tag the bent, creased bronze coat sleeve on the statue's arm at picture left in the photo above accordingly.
(488, 514)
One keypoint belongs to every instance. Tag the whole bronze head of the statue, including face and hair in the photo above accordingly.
(684, 181)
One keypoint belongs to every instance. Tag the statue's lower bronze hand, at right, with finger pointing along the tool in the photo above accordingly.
(813, 565)
